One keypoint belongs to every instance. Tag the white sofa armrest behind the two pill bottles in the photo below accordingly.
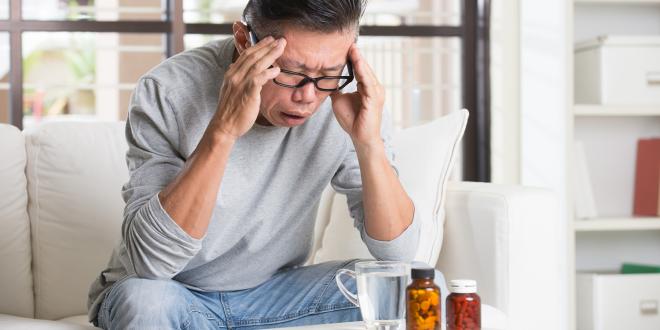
(508, 239)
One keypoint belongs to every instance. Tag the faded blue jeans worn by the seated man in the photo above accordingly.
(293, 297)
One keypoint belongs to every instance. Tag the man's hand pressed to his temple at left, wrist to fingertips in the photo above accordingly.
(240, 95)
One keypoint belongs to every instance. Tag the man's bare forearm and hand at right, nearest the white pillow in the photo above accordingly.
(388, 210)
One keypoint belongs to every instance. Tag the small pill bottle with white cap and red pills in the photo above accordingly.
(463, 306)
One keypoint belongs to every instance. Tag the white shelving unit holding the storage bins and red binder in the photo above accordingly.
(609, 134)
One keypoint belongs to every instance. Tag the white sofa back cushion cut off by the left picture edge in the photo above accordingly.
(15, 254)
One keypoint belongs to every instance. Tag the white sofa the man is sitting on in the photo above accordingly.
(61, 212)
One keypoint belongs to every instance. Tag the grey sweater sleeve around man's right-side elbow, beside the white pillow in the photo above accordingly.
(347, 180)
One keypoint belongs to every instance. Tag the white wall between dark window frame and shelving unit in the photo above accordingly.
(531, 96)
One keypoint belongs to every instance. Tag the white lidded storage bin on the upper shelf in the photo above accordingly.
(618, 70)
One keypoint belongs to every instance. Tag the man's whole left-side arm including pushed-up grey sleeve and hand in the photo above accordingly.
(169, 200)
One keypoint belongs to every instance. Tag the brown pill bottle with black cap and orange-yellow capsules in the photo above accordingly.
(423, 301)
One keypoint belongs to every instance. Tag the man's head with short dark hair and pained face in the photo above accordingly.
(319, 34)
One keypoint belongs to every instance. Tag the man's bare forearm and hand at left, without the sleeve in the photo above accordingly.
(190, 198)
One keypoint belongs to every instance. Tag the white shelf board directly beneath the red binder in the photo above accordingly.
(617, 224)
